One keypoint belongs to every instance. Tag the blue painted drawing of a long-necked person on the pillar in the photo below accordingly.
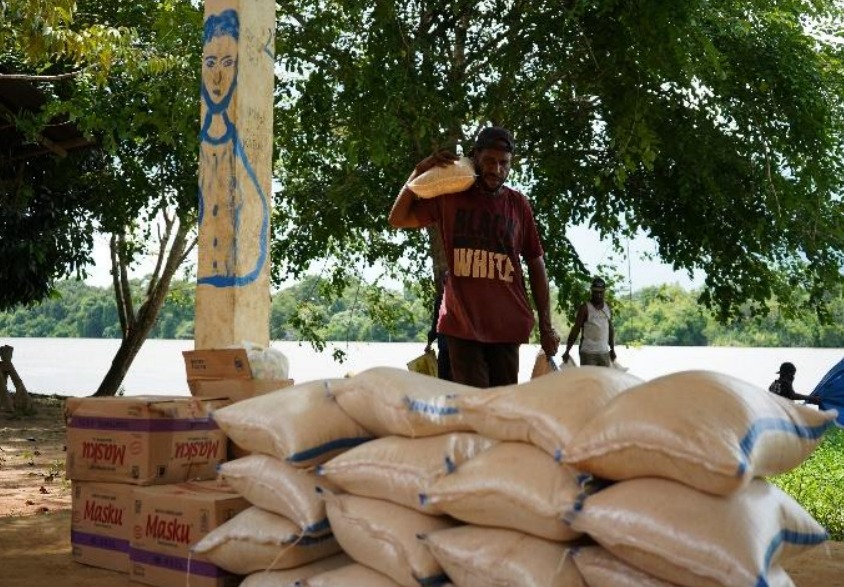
(229, 200)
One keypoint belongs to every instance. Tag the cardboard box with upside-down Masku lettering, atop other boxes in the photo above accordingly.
(143, 440)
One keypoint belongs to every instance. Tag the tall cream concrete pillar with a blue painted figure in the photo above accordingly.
(235, 173)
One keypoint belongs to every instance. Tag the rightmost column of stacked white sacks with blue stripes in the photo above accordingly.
(689, 451)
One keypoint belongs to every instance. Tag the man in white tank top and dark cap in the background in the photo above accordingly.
(594, 321)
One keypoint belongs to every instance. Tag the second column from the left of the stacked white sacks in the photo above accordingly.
(378, 516)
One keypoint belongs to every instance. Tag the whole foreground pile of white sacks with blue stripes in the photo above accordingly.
(431, 481)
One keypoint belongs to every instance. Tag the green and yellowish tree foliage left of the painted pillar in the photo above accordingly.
(127, 75)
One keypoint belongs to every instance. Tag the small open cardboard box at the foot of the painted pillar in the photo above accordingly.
(226, 373)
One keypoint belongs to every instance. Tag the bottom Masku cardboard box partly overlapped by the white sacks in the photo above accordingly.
(167, 520)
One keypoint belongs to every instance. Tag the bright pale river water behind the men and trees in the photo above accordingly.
(75, 366)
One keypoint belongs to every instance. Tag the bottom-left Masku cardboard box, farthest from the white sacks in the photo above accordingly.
(100, 525)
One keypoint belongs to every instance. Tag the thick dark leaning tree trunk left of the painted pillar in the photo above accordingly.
(139, 325)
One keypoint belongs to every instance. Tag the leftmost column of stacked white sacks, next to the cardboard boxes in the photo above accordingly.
(285, 536)
